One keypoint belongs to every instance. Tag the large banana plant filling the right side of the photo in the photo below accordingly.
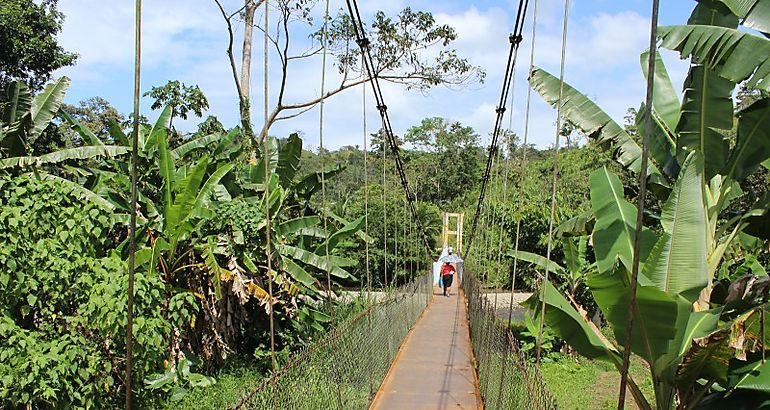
(699, 345)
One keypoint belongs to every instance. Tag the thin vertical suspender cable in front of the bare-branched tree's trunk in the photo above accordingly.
(268, 222)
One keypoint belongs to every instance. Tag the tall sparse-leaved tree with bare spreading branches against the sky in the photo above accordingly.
(398, 47)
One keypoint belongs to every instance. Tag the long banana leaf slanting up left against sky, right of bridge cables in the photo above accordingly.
(591, 120)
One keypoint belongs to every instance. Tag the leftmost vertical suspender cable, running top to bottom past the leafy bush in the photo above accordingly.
(132, 221)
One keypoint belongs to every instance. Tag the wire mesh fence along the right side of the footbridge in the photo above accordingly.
(507, 380)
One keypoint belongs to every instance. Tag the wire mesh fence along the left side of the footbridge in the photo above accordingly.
(345, 369)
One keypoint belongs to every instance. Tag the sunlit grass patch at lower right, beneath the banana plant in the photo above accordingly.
(580, 383)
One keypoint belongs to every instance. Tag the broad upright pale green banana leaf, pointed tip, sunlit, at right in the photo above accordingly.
(677, 264)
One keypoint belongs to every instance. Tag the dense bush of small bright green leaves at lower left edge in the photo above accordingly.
(62, 325)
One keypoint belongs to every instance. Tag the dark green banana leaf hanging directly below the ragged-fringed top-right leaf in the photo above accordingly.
(707, 107)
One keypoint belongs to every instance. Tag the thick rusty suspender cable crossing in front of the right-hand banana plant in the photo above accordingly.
(640, 213)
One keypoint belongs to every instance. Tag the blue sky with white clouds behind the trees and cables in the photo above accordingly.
(186, 40)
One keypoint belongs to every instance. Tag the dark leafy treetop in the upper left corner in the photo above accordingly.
(29, 50)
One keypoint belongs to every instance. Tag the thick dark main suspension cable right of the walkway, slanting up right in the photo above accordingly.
(515, 40)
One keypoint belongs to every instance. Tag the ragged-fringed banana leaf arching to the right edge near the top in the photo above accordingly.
(733, 54)
